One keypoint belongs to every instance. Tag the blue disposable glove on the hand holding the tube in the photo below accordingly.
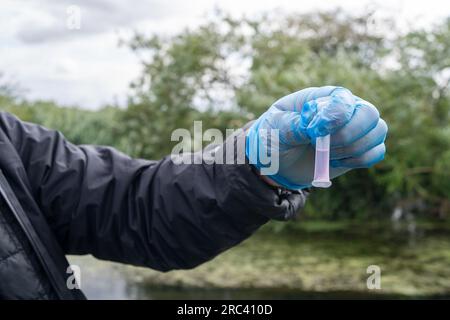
(357, 135)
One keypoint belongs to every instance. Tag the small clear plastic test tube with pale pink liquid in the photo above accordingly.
(322, 163)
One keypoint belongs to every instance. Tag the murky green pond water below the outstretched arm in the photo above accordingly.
(312, 262)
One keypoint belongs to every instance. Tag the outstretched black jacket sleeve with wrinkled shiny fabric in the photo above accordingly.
(149, 213)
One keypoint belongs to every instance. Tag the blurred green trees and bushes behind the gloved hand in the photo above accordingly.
(228, 71)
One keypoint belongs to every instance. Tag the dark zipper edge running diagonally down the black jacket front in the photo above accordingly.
(38, 247)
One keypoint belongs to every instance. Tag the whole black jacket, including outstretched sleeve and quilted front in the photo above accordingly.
(58, 198)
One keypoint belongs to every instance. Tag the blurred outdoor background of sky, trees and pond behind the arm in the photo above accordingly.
(112, 73)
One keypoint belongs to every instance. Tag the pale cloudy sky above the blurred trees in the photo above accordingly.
(67, 51)
